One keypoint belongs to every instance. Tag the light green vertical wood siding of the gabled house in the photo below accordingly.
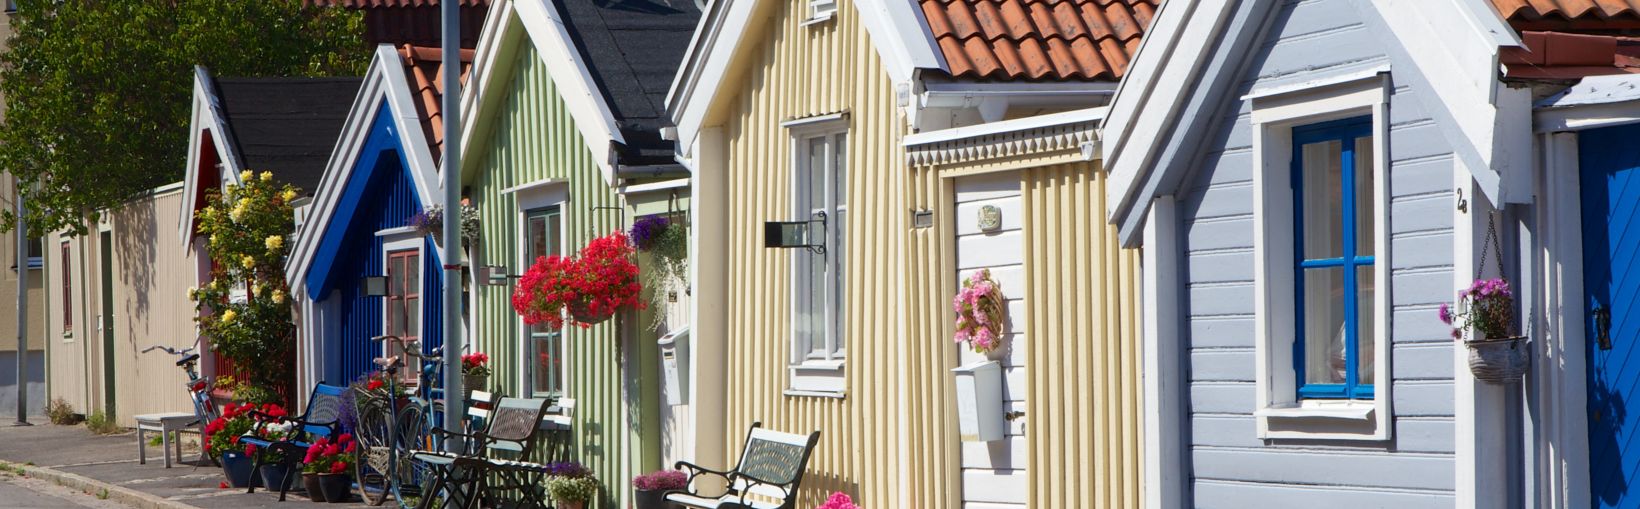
(534, 137)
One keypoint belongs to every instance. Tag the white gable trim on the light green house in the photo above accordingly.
(545, 29)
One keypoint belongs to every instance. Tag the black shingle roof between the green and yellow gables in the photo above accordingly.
(634, 48)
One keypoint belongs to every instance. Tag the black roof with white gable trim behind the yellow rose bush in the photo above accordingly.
(286, 126)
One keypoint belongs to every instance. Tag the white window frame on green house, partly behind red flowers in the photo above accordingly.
(527, 198)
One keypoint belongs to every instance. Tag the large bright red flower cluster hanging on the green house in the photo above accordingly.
(598, 283)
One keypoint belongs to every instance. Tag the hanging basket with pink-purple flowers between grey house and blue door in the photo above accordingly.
(1483, 321)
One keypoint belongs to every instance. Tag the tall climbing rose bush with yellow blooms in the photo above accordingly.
(245, 311)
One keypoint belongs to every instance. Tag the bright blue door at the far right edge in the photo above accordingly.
(1611, 278)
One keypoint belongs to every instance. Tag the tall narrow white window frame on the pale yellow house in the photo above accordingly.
(816, 377)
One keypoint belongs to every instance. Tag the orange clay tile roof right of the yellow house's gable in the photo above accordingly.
(1039, 40)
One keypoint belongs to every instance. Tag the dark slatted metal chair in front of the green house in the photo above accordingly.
(463, 480)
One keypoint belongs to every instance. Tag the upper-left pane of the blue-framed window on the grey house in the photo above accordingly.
(1323, 203)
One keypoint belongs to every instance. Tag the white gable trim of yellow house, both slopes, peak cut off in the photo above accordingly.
(896, 27)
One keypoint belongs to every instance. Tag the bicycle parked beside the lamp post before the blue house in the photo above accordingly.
(389, 431)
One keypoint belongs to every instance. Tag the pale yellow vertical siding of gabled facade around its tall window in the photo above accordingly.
(803, 71)
